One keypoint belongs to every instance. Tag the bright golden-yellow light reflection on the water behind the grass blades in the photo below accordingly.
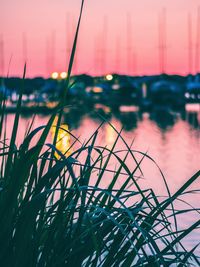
(63, 139)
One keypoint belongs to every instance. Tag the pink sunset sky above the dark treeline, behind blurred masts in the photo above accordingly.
(31, 24)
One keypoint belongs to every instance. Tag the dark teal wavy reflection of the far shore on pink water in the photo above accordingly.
(129, 119)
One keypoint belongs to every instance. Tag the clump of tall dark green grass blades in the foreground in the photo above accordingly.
(55, 211)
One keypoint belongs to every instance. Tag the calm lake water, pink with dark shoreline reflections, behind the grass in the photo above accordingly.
(171, 139)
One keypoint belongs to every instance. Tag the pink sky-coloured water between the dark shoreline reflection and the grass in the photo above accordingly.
(175, 149)
